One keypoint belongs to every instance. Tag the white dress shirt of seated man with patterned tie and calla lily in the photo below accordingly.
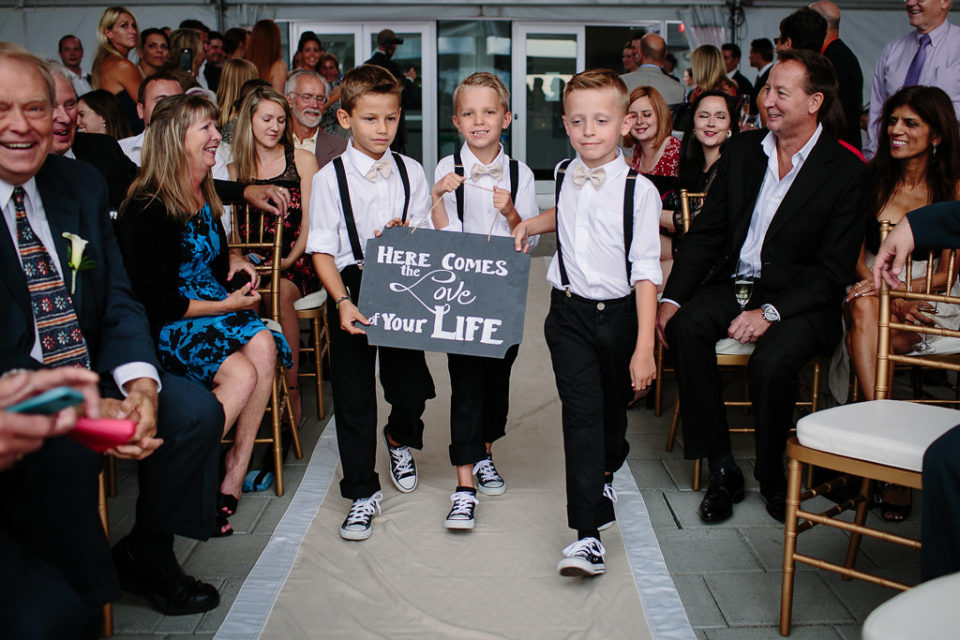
(37, 218)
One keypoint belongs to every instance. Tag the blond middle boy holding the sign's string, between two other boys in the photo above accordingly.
(485, 192)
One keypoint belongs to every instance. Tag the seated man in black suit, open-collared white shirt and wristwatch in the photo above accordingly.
(783, 211)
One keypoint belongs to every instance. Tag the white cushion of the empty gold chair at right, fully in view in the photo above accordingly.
(891, 432)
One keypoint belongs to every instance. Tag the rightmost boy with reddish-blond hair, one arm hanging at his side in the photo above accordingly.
(600, 328)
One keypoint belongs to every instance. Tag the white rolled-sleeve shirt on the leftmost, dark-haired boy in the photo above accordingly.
(374, 203)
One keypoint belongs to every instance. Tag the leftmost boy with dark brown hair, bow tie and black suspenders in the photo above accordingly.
(360, 192)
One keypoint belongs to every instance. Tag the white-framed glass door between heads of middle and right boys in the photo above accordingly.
(545, 58)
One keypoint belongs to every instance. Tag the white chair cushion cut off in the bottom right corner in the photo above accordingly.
(927, 612)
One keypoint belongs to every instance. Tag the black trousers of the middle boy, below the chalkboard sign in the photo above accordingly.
(479, 403)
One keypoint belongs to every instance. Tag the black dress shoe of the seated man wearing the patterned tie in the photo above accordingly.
(171, 591)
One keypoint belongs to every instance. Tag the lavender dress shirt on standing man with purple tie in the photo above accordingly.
(940, 69)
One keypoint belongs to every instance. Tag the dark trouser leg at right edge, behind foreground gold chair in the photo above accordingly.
(940, 533)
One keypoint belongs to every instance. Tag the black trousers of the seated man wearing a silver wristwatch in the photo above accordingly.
(779, 355)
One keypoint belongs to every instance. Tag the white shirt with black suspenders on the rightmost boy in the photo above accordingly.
(590, 230)
